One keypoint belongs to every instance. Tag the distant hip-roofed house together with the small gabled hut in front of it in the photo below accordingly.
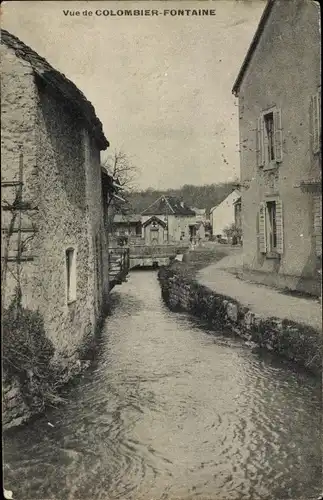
(168, 220)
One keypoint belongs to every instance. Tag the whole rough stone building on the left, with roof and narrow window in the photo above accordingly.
(51, 178)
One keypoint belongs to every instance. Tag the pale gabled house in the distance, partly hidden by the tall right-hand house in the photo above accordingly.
(222, 216)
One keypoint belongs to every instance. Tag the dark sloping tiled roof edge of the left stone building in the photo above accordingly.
(59, 81)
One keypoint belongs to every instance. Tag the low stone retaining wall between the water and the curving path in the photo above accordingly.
(298, 343)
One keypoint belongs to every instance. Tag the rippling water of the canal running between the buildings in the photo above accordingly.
(172, 410)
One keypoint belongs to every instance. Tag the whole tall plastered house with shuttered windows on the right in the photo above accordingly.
(279, 91)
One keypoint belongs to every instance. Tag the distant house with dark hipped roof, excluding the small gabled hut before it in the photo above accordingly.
(179, 218)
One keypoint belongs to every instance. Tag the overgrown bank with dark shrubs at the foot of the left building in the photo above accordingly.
(33, 377)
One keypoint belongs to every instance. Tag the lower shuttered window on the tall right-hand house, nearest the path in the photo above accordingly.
(271, 230)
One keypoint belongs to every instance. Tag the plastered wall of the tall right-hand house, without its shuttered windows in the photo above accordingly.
(289, 40)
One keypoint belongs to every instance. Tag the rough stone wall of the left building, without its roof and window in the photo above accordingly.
(62, 179)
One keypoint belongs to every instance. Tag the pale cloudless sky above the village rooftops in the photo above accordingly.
(161, 85)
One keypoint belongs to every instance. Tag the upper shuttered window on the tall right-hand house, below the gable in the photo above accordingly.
(269, 143)
